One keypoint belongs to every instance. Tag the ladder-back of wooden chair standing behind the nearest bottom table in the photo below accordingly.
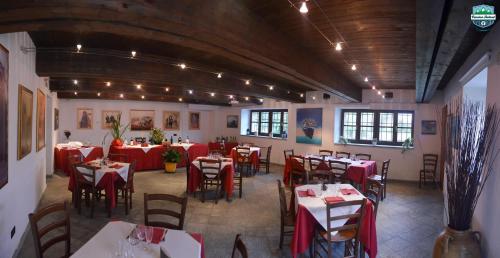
(182, 201)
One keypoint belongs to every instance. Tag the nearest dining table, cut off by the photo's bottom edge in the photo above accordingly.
(111, 239)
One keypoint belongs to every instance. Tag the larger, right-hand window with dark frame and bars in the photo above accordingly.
(387, 127)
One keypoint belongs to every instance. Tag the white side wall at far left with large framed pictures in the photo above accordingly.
(27, 176)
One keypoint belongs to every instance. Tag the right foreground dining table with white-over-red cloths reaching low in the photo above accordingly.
(311, 212)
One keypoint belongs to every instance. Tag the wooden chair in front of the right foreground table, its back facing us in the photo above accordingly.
(347, 233)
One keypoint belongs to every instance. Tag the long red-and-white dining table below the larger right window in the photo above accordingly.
(358, 171)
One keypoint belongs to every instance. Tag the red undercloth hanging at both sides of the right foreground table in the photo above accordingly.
(305, 224)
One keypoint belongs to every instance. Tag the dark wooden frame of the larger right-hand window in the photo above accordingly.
(376, 125)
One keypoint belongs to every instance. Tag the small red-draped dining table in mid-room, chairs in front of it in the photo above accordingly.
(227, 174)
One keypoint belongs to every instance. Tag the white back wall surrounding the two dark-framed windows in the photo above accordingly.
(403, 166)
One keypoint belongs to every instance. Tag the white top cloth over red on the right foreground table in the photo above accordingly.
(317, 206)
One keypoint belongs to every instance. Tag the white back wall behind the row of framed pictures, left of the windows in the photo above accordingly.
(68, 121)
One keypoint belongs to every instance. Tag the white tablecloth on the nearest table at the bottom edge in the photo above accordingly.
(177, 243)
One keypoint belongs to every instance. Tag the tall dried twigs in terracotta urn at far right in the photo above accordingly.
(471, 133)
